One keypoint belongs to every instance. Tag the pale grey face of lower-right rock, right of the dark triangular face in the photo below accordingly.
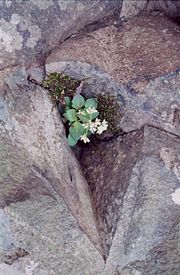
(149, 224)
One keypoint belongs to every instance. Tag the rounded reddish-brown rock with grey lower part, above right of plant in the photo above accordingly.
(113, 60)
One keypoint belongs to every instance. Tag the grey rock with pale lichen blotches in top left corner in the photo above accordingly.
(30, 29)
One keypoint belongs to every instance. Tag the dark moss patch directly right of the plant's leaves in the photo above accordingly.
(108, 108)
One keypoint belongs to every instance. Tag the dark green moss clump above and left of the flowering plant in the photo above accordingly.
(60, 85)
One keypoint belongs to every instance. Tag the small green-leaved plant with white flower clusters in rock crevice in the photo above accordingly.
(82, 116)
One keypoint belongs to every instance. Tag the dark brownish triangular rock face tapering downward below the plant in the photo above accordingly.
(108, 167)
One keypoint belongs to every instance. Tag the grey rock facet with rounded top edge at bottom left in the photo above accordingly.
(54, 247)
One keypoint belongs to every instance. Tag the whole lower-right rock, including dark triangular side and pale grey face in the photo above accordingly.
(132, 180)
